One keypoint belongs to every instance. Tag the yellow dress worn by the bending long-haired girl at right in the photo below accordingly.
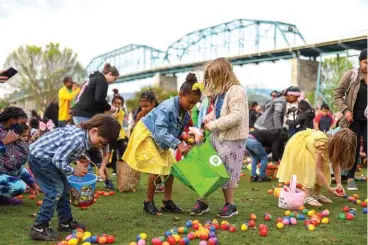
(300, 158)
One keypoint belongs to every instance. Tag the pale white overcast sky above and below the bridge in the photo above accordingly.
(93, 27)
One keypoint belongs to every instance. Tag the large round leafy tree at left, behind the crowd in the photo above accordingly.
(41, 70)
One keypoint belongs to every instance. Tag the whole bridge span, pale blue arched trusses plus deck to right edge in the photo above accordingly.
(243, 41)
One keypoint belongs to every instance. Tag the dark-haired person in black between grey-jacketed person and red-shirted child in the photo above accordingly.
(304, 119)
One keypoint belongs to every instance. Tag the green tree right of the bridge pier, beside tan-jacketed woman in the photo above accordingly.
(332, 71)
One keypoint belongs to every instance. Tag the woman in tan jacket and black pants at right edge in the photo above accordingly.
(351, 98)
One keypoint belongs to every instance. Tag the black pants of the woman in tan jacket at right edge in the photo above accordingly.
(359, 127)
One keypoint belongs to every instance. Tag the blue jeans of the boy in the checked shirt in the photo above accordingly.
(55, 186)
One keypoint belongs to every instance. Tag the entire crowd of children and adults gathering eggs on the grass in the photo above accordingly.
(83, 129)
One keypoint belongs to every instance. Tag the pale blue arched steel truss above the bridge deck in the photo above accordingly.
(234, 38)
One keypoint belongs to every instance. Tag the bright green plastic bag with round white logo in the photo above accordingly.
(202, 170)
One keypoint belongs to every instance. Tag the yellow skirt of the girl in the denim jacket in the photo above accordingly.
(144, 155)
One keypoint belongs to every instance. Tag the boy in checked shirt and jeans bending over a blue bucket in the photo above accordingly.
(50, 158)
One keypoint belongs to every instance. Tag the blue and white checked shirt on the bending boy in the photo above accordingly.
(62, 146)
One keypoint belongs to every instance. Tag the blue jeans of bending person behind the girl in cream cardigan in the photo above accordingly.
(258, 153)
